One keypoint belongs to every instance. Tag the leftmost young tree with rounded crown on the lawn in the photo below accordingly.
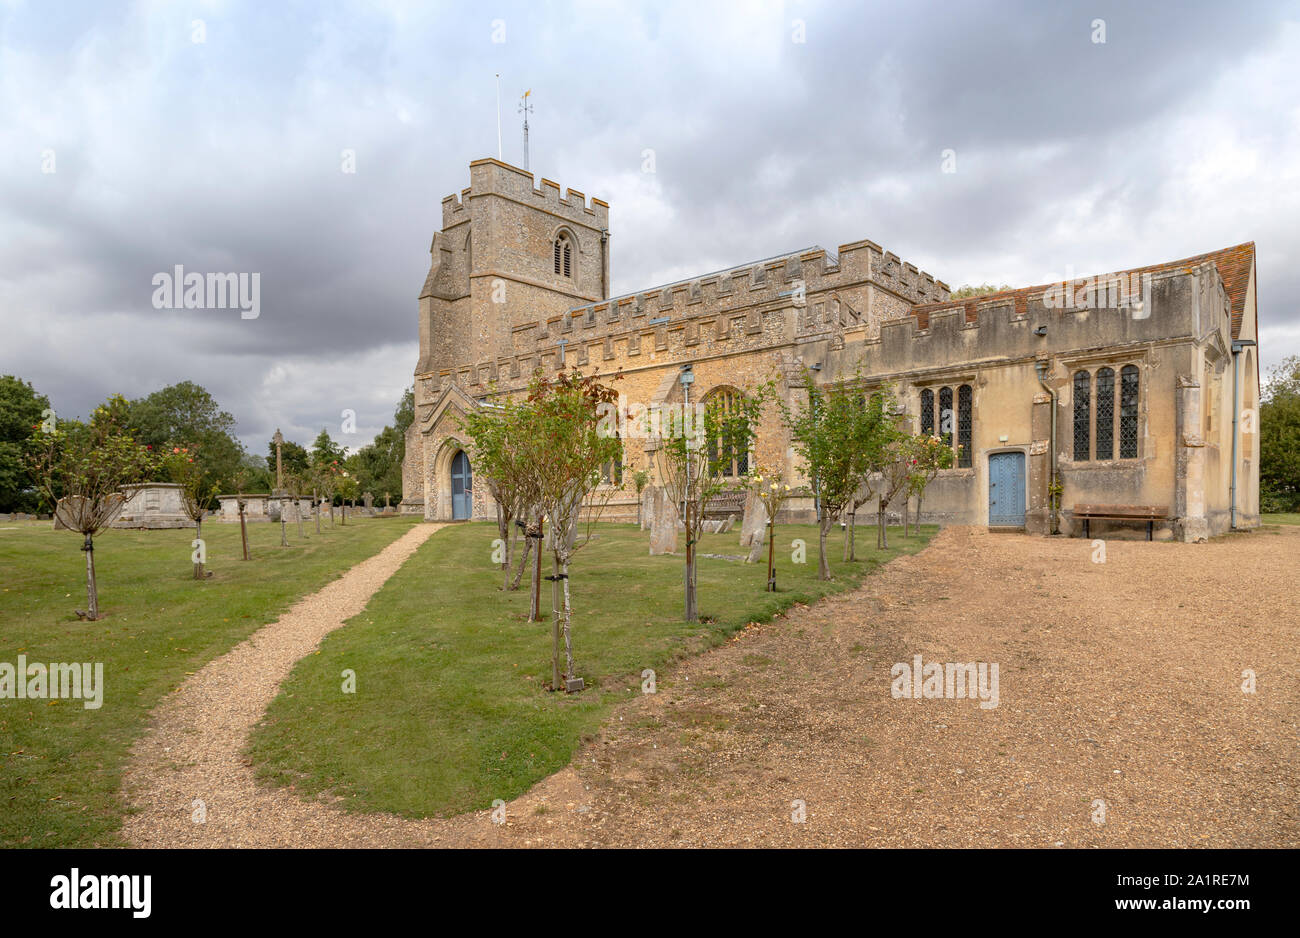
(81, 468)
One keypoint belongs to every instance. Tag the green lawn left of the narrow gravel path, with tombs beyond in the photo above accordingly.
(63, 763)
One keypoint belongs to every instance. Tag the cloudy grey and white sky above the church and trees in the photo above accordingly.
(136, 137)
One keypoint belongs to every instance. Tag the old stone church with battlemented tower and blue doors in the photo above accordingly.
(1136, 390)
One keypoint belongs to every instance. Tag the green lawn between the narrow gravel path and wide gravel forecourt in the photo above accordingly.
(450, 709)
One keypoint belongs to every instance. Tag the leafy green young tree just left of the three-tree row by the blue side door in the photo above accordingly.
(838, 440)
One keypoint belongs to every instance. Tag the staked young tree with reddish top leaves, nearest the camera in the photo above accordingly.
(567, 449)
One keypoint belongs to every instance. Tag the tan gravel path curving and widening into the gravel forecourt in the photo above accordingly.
(1120, 683)
